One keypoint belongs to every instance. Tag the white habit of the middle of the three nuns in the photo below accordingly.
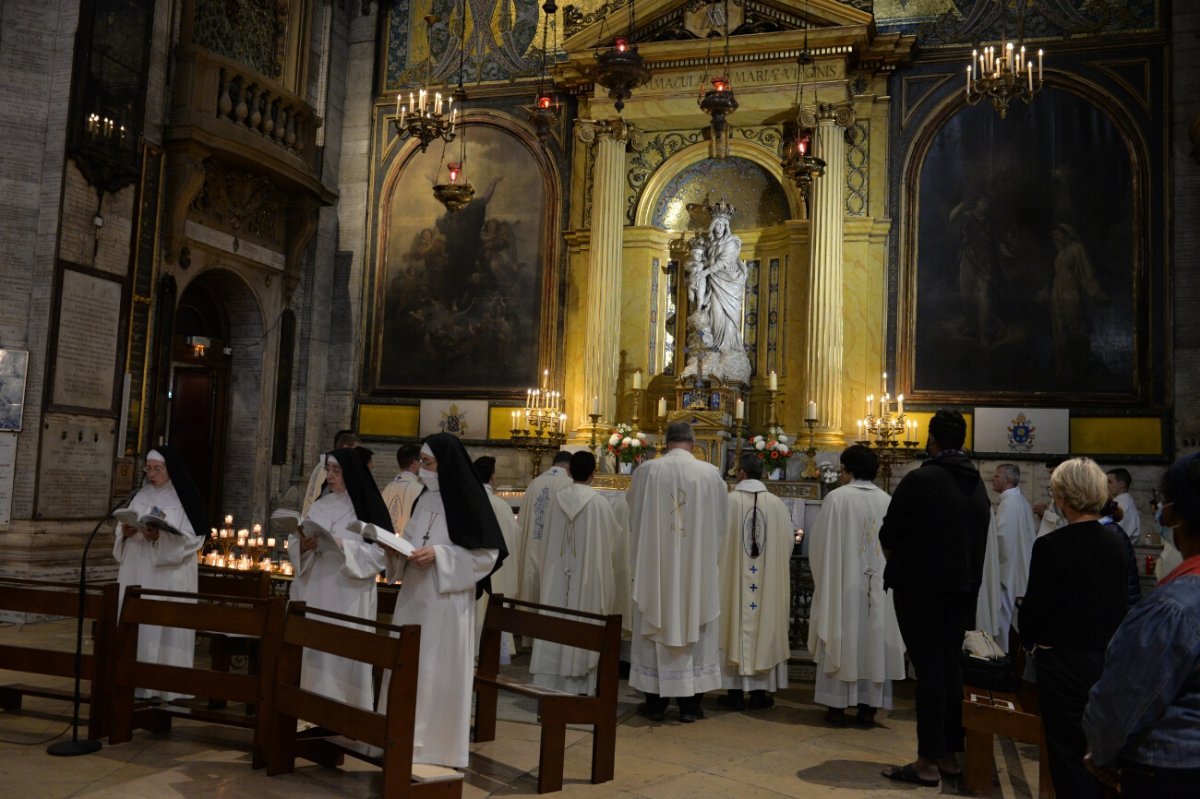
(343, 584)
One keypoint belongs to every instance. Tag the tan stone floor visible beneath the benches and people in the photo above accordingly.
(785, 752)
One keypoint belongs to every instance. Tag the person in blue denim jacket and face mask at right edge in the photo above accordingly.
(1143, 716)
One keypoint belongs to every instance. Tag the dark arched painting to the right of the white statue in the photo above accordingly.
(1021, 261)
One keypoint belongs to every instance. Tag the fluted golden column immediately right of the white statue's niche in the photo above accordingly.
(824, 349)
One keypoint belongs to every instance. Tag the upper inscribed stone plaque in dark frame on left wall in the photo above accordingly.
(86, 365)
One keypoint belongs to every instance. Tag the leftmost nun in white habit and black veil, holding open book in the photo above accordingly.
(154, 558)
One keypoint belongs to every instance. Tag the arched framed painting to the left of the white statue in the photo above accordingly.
(464, 299)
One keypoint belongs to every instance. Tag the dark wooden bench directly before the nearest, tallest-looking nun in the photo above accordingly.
(345, 729)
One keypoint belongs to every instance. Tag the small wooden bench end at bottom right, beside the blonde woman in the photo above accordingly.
(987, 714)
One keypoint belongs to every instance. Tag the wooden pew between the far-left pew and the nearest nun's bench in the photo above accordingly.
(259, 618)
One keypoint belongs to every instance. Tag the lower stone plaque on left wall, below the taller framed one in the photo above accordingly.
(76, 467)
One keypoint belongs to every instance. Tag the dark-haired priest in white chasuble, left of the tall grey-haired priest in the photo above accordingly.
(579, 573)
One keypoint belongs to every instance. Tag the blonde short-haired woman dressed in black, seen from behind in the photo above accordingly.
(1075, 602)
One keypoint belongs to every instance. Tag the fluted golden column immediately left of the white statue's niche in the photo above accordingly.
(603, 309)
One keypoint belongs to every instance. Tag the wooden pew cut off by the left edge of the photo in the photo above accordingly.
(63, 599)
